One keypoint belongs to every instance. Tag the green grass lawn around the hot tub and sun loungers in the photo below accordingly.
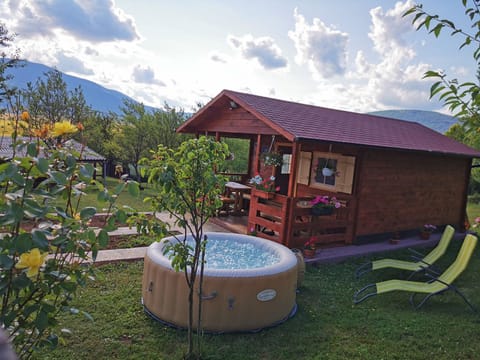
(327, 325)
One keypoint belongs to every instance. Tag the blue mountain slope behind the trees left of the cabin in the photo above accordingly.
(96, 96)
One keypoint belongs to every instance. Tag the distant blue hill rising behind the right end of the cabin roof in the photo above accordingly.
(433, 120)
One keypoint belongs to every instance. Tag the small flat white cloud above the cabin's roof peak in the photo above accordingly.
(262, 49)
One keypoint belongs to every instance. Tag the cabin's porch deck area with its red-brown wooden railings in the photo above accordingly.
(289, 221)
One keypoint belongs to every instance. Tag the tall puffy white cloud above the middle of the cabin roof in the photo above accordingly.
(323, 48)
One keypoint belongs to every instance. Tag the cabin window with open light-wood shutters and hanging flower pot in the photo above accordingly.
(333, 172)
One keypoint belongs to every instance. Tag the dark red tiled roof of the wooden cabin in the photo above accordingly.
(303, 121)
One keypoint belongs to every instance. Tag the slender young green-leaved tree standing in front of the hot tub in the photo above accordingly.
(189, 190)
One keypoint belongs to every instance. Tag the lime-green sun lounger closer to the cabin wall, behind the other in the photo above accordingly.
(420, 264)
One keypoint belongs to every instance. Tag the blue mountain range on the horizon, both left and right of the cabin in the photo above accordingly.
(105, 100)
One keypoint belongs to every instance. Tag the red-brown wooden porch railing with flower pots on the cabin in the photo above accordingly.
(289, 221)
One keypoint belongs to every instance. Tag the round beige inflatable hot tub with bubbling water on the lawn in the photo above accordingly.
(238, 296)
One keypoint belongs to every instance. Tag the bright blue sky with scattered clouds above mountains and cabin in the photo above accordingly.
(350, 55)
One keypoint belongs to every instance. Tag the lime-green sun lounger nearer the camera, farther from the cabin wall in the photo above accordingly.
(436, 285)
